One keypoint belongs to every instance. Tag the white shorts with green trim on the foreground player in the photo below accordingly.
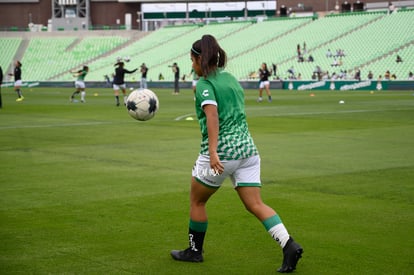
(243, 172)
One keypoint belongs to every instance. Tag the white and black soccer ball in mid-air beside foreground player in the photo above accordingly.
(142, 104)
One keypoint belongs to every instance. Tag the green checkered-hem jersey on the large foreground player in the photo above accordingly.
(223, 90)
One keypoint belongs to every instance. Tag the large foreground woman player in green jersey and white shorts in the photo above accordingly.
(227, 150)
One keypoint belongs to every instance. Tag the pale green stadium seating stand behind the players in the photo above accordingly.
(370, 40)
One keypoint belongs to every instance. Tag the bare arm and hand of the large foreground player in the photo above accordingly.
(211, 113)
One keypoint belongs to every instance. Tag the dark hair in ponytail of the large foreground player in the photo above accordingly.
(212, 55)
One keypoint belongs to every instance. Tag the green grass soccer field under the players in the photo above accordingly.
(85, 189)
